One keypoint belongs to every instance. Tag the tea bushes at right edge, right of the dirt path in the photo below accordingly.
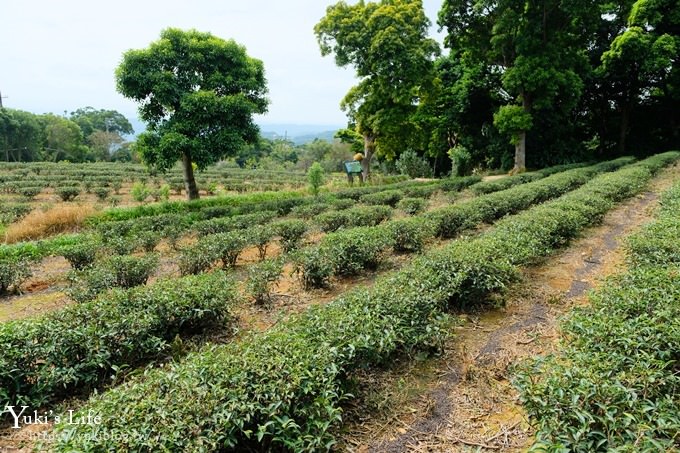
(614, 384)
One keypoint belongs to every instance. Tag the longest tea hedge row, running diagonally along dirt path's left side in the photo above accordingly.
(283, 388)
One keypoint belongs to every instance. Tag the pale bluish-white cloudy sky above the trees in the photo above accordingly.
(58, 56)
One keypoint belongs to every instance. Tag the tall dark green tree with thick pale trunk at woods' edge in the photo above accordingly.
(536, 46)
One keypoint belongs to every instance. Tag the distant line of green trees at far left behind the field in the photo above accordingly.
(85, 135)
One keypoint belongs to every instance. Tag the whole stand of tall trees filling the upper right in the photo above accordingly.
(523, 82)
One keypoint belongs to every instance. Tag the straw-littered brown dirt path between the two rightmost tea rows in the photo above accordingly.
(465, 400)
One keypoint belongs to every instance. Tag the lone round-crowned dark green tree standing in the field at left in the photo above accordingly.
(198, 94)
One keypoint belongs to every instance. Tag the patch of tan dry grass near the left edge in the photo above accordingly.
(40, 224)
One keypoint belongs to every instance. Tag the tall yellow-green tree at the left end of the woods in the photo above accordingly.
(387, 44)
